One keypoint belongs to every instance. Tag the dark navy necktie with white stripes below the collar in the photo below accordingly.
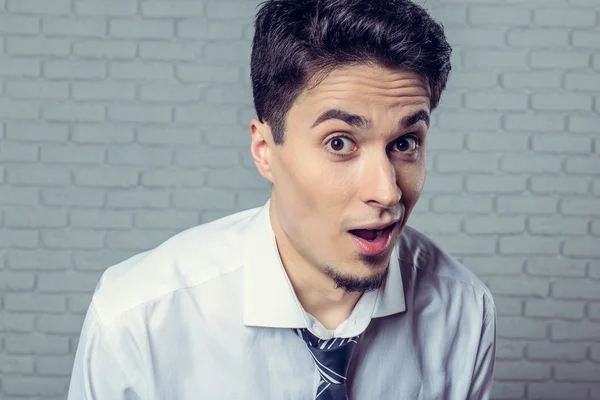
(332, 358)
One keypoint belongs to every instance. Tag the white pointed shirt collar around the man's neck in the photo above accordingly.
(269, 298)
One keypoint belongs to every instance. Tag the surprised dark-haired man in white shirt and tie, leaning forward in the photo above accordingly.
(323, 292)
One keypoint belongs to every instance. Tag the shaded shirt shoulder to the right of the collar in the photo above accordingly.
(431, 260)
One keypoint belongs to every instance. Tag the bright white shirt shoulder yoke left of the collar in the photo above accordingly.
(190, 258)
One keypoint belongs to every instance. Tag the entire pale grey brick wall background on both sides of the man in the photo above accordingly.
(125, 121)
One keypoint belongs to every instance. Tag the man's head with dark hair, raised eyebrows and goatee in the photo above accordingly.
(343, 91)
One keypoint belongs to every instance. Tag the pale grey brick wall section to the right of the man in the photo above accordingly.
(513, 189)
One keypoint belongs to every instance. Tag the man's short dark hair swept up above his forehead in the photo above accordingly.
(295, 40)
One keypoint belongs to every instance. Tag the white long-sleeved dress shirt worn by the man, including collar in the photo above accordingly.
(208, 315)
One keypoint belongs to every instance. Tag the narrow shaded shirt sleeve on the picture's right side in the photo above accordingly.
(481, 384)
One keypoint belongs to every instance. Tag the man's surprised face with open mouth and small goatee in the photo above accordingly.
(350, 170)
